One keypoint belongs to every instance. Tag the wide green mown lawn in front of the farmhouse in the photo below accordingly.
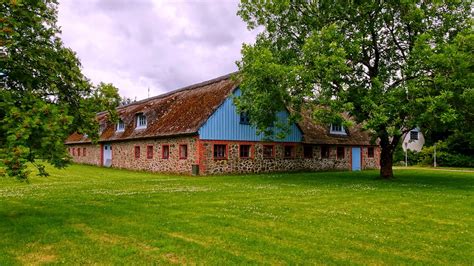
(86, 214)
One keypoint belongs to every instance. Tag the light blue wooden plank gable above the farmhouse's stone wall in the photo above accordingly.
(224, 124)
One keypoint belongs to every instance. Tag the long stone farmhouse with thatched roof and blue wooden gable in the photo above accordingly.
(197, 130)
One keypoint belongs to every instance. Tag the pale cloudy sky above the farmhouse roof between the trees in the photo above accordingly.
(157, 44)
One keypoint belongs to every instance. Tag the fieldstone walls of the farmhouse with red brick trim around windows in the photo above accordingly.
(201, 152)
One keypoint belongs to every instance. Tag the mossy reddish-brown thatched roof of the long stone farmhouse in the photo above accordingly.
(184, 111)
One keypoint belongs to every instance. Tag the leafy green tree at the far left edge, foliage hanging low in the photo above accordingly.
(44, 96)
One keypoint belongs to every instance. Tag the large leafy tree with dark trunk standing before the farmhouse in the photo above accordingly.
(374, 60)
